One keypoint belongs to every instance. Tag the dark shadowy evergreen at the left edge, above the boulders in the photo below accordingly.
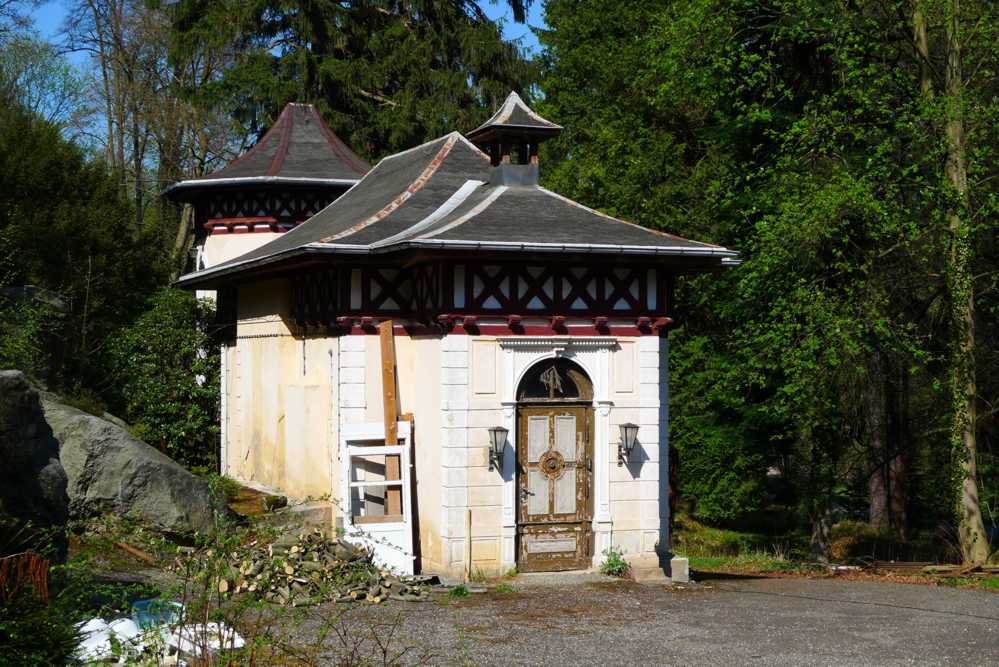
(73, 268)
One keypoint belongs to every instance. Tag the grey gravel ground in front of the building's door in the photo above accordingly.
(723, 621)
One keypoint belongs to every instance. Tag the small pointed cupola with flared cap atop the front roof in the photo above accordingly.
(514, 128)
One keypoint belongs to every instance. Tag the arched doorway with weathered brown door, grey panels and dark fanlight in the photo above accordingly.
(554, 467)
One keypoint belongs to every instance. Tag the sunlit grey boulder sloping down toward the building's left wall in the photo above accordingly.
(110, 470)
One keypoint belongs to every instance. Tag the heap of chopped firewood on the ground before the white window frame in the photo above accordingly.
(309, 568)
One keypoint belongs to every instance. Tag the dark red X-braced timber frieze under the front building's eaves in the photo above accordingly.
(449, 293)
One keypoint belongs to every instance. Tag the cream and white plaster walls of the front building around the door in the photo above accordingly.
(288, 397)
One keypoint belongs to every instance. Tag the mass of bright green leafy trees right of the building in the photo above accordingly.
(798, 134)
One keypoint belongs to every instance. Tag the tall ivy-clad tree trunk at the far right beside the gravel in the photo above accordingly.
(971, 529)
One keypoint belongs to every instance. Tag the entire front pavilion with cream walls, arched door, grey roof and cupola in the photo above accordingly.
(472, 368)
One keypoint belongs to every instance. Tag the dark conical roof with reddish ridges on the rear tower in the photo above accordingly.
(298, 148)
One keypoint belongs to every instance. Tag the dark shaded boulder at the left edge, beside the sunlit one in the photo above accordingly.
(32, 481)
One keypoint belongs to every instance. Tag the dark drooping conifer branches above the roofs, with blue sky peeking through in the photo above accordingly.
(384, 75)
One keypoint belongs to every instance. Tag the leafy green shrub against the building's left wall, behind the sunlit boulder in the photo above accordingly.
(167, 369)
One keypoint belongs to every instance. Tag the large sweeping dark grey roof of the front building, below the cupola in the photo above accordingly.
(445, 195)
